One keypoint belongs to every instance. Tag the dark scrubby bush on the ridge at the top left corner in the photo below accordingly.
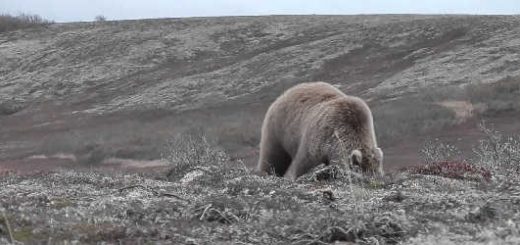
(10, 23)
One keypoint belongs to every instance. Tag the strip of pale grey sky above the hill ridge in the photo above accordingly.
(86, 10)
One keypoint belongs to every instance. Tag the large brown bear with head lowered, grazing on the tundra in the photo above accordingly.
(314, 123)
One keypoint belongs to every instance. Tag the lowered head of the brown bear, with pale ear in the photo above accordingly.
(370, 160)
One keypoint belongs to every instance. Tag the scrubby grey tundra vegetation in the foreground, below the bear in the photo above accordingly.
(206, 198)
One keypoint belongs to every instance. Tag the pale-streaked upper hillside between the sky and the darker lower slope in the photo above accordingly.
(181, 64)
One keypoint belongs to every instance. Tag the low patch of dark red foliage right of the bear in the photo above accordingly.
(455, 170)
